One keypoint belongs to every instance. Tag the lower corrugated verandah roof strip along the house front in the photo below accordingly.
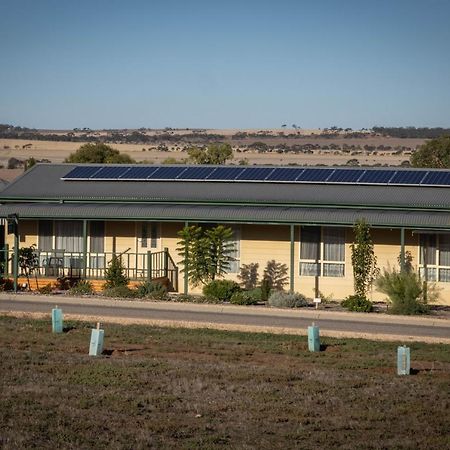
(256, 214)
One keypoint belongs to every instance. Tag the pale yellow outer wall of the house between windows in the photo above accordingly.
(259, 244)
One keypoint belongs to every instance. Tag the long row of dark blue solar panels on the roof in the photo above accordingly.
(261, 174)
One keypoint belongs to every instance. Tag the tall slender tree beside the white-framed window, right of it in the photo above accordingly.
(364, 261)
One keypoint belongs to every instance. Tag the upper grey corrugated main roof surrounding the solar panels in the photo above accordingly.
(44, 182)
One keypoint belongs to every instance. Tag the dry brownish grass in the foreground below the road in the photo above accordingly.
(197, 388)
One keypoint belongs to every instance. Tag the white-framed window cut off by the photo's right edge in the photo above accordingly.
(434, 257)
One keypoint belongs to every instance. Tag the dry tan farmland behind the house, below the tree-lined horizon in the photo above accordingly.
(57, 151)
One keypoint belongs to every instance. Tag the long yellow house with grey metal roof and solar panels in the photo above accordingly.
(78, 216)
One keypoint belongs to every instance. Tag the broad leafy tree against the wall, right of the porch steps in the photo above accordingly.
(206, 254)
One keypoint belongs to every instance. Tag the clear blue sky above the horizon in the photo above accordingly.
(224, 64)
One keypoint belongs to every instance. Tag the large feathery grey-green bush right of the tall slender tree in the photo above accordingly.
(406, 292)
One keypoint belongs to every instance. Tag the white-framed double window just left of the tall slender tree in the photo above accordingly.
(322, 251)
